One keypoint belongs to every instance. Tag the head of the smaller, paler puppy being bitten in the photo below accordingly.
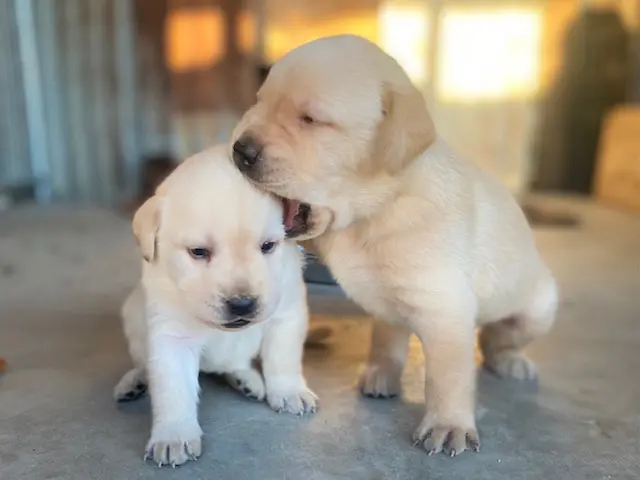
(213, 243)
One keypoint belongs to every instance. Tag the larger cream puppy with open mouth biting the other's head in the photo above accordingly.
(421, 238)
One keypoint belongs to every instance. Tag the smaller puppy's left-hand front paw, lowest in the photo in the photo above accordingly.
(174, 444)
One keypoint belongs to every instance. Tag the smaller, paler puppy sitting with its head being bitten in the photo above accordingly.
(220, 286)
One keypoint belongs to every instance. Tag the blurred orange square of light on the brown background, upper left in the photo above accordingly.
(194, 38)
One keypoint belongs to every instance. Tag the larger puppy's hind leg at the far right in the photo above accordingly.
(502, 342)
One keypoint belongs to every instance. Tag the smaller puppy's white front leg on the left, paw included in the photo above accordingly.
(173, 367)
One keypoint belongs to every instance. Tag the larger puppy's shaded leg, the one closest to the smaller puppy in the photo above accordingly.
(388, 354)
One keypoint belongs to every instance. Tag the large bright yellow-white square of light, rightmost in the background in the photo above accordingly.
(489, 55)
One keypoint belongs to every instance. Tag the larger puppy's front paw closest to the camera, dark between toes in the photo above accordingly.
(453, 437)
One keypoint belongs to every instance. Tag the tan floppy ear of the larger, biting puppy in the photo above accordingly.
(406, 130)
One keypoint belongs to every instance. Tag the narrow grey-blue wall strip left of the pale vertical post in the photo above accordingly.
(15, 166)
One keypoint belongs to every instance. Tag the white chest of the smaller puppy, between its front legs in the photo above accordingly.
(228, 351)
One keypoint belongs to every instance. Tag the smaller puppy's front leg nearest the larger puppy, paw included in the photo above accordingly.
(282, 350)
